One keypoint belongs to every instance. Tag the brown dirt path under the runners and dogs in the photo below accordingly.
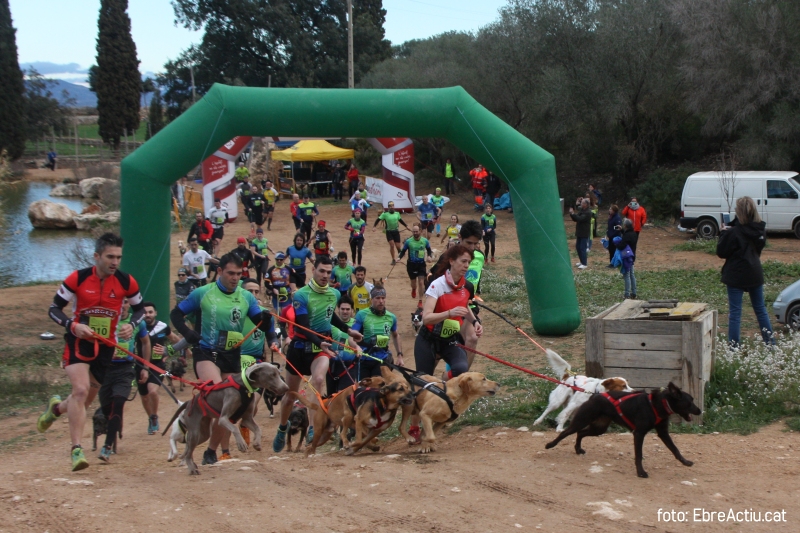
(494, 480)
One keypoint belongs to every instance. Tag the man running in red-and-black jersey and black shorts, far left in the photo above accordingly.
(96, 294)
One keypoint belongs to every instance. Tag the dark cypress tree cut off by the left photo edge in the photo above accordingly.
(12, 88)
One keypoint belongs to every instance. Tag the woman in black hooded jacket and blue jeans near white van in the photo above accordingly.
(740, 244)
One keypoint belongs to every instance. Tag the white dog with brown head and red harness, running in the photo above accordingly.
(563, 395)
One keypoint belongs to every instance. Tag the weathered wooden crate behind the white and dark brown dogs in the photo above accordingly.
(652, 352)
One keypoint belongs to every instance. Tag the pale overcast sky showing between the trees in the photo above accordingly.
(63, 32)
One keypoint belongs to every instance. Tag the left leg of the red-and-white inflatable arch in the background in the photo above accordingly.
(218, 176)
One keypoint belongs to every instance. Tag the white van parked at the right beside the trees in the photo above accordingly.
(776, 195)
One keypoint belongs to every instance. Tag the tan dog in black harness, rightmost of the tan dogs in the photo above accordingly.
(434, 412)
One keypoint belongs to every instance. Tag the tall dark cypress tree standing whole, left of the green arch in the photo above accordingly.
(117, 81)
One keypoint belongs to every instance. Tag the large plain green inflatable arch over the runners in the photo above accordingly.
(449, 113)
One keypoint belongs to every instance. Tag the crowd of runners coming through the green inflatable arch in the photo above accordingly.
(307, 305)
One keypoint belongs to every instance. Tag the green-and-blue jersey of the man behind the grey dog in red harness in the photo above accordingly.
(222, 315)
